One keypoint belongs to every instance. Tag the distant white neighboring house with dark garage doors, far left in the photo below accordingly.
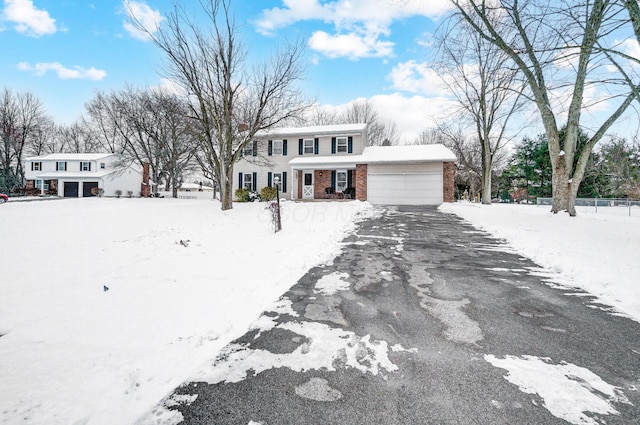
(75, 175)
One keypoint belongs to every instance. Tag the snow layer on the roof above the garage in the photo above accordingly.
(407, 153)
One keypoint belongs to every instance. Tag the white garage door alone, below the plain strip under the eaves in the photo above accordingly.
(405, 189)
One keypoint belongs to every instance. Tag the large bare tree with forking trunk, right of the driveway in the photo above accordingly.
(558, 45)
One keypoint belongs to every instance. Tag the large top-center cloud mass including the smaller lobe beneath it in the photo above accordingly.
(359, 23)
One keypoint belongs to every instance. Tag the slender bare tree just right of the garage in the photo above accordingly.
(481, 78)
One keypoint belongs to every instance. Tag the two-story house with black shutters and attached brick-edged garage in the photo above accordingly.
(312, 162)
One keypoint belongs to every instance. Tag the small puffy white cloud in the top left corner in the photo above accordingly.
(27, 18)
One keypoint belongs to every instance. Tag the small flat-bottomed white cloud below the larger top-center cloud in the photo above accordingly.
(353, 46)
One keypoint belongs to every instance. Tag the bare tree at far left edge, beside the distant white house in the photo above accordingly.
(21, 115)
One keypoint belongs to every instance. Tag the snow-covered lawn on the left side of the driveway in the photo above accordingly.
(106, 305)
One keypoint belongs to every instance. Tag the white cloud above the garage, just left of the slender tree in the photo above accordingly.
(417, 77)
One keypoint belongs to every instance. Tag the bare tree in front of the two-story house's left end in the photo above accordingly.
(229, 103)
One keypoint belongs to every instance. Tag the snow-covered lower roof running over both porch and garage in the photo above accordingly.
(378, 155)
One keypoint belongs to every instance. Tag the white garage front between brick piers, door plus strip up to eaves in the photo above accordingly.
(409, 185)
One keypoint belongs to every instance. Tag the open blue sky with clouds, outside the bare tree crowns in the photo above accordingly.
(63, 51)
